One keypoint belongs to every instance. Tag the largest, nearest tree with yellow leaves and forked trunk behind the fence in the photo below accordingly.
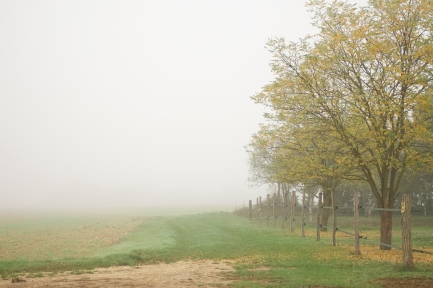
(366, 81)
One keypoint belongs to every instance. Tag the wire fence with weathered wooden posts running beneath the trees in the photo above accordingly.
(268, 212)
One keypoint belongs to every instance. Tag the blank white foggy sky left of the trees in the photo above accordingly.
(138, 103)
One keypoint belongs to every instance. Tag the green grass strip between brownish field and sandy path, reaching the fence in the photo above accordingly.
(263, 256)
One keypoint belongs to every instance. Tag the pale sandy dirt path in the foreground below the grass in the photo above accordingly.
(179, 274)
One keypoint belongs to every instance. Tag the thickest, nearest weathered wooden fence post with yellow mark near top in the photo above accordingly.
(405, 231)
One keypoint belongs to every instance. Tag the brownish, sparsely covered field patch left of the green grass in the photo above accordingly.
(74, 236)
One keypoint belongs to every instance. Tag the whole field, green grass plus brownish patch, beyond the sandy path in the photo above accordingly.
(263, 256)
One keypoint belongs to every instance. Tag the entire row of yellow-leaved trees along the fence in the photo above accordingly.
(351, 103)
